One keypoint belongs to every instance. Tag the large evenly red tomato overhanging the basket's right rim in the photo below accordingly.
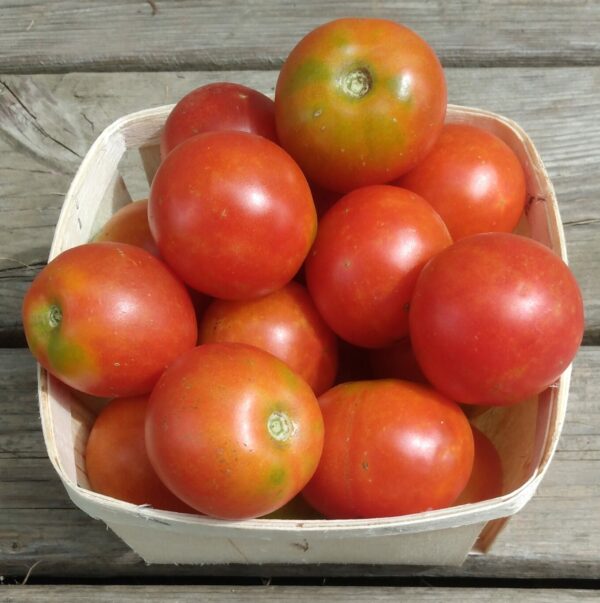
(495, 319)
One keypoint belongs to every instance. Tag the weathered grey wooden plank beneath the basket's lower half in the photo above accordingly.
(556, 536)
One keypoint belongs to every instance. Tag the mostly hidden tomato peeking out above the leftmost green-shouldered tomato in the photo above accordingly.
(129, 225)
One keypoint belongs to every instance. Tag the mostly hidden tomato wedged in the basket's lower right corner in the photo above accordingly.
(487, 476)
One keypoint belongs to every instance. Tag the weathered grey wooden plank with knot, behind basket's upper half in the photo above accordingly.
(48, 121)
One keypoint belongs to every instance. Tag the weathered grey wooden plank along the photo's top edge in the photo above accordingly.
(140, 35)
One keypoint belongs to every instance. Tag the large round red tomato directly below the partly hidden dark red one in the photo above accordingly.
(232, 214)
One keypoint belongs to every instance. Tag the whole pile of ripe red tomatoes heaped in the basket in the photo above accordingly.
(314, 287)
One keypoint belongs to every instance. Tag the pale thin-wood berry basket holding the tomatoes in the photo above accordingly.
(525, 435)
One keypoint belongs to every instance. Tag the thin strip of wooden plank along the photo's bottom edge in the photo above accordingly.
(277, 593)
